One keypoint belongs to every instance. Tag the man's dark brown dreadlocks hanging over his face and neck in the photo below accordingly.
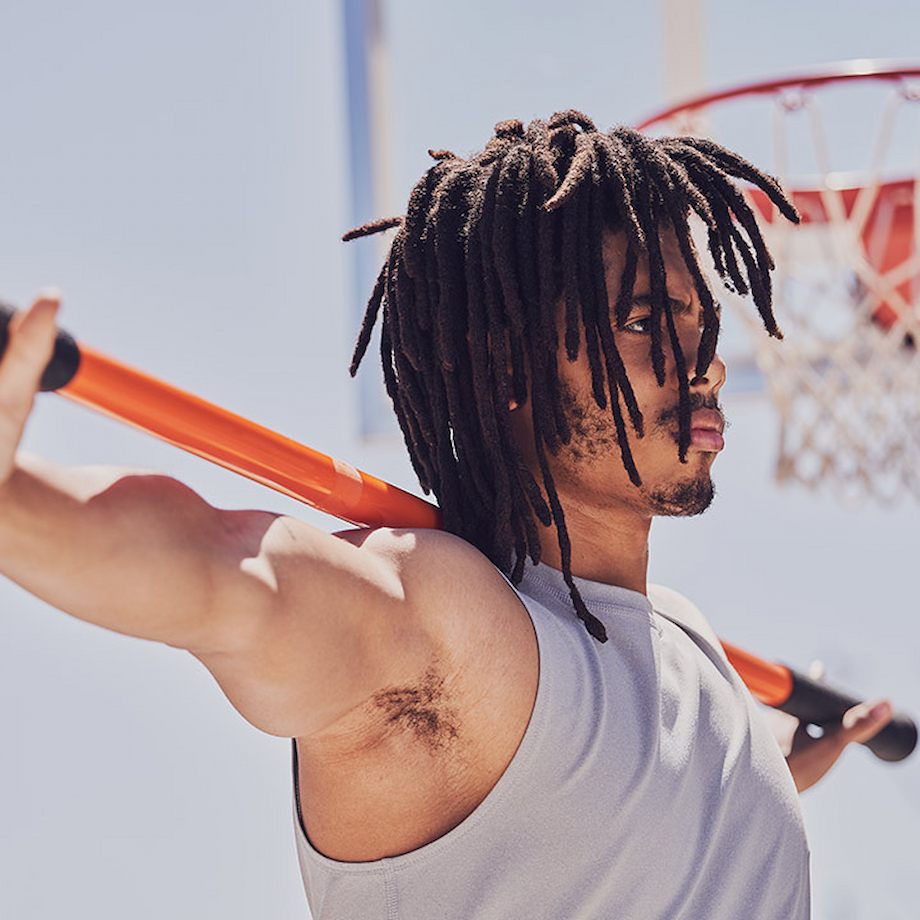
(487, 248)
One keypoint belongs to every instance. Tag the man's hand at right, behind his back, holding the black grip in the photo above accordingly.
(810, 758)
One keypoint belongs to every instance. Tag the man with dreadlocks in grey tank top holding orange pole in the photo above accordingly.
(474, 736)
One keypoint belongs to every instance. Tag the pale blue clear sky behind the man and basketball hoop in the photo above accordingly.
(180, 171)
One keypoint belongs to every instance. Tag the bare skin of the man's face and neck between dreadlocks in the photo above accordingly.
(609, 518)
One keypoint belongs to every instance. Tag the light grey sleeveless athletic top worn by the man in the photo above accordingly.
(647, 786)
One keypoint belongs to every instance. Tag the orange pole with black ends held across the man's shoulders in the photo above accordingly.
(102, 383)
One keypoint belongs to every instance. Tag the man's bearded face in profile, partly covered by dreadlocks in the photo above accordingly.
(589, 469)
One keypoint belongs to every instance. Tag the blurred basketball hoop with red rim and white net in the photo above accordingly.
(846, 379)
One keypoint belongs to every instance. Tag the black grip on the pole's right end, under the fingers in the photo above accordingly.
(815, 703)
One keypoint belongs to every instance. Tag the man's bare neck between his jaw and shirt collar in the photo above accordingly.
(608, 545)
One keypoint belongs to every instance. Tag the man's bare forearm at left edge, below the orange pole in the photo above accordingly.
(125, 549)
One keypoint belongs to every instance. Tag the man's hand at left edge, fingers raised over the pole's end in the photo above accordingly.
(30, 344)
